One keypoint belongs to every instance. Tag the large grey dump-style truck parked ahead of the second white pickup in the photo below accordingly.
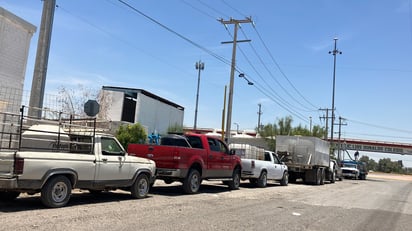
(307, 158)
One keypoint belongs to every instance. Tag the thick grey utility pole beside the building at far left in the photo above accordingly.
(42, 58)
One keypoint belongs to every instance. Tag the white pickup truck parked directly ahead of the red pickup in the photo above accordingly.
(259, 165)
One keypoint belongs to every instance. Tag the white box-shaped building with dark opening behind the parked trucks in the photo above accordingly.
(131, 105)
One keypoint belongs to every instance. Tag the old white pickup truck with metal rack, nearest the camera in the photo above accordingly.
(52, 161)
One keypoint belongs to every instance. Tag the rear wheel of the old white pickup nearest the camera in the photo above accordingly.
(56, 192)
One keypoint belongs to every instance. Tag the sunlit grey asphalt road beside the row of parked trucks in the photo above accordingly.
(374, 204)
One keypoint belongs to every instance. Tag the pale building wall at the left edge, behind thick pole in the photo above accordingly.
(15, 37)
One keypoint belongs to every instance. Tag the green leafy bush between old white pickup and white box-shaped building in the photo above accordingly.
(131, 133)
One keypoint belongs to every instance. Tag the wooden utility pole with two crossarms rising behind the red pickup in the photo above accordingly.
(236, 23)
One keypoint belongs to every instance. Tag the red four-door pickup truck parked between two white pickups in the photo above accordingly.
(190, 159)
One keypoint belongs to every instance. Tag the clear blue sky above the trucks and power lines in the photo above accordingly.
(96, 43)
